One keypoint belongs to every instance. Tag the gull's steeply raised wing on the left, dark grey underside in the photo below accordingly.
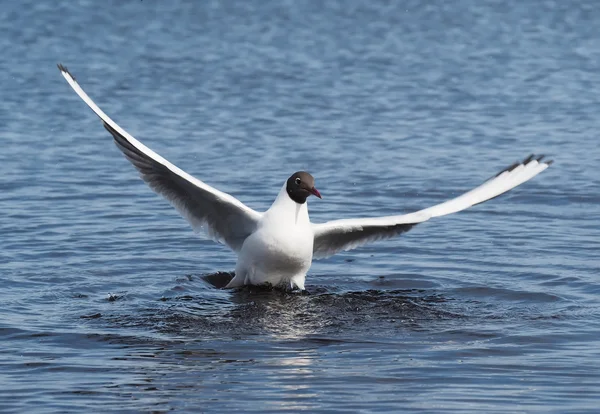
(225, 218)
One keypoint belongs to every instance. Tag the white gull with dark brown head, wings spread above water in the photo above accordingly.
(277, 247)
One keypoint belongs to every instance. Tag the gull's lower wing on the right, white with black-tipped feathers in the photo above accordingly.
(338, 235)
